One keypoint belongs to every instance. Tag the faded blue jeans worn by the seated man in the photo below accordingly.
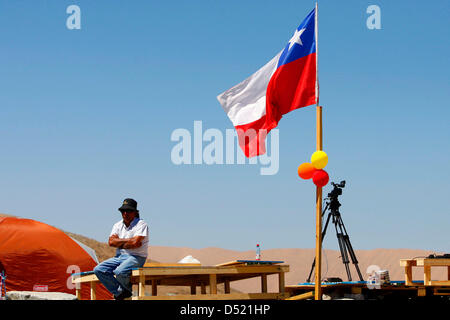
(119, 266)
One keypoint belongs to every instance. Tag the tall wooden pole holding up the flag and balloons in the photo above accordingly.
(319, 143)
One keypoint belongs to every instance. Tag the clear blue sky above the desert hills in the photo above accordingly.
(86, 118)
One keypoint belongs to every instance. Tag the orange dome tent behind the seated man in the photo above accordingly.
(36, 255)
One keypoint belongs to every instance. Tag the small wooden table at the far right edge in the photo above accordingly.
(427, 264)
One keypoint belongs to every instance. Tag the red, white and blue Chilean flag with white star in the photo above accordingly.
(285, 83)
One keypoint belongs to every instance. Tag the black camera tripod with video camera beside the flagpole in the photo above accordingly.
(343, 239)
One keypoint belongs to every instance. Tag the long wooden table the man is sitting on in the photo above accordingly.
(200, 276)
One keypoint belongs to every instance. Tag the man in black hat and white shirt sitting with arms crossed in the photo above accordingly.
(130, 237)
